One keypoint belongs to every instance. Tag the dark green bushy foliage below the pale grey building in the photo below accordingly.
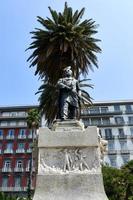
(118, 183)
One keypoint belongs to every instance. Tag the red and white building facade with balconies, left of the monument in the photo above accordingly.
(15, 149)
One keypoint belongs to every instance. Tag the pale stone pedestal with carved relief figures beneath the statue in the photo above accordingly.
(69, 164)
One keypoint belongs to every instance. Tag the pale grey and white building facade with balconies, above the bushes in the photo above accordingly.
(115, 122)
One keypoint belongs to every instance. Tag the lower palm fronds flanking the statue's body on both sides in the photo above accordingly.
(49, 105)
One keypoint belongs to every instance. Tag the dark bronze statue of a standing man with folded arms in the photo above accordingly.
(69, 93)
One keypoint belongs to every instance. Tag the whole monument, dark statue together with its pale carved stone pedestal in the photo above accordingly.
(69, 156)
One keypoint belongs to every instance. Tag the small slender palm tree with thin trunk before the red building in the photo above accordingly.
(33, 122)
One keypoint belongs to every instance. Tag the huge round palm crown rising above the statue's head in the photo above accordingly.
(64, 40)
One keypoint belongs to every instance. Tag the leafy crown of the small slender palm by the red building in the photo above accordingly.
(33, 118)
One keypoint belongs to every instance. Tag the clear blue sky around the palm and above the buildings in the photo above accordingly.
(114, 78)
